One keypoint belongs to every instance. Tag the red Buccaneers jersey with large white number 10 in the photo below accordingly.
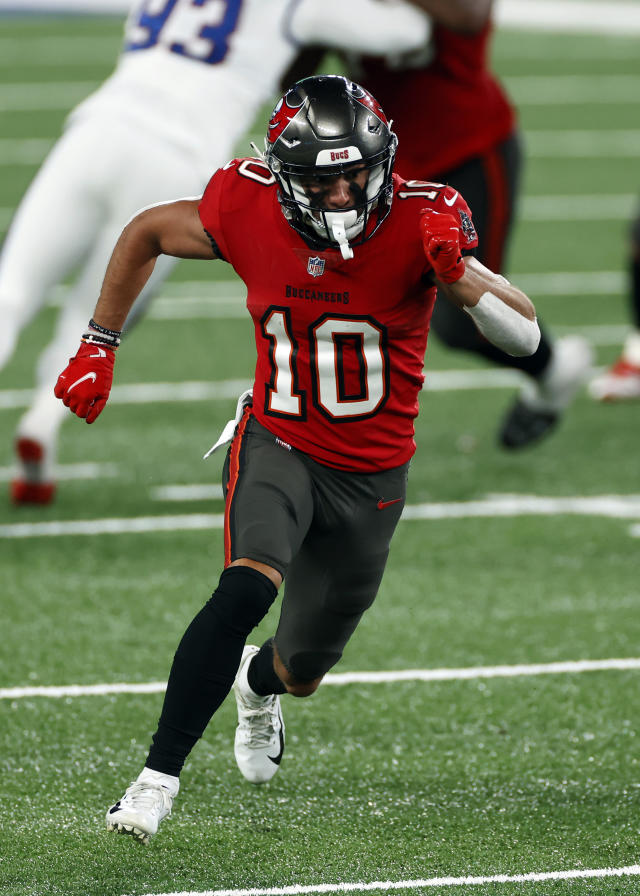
(340, 343)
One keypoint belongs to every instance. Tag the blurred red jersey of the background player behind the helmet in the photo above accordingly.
(446, 112)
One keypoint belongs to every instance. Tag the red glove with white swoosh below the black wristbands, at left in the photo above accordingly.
(85, 383)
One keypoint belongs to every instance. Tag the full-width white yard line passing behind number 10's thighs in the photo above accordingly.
(610, 506)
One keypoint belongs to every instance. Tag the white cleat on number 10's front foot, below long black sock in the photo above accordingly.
(145, 803)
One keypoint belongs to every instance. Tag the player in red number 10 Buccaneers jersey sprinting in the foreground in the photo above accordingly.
(341, 258)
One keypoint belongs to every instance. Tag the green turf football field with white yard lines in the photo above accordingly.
(449, 781)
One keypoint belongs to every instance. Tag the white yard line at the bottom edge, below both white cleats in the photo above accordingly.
(449, 881)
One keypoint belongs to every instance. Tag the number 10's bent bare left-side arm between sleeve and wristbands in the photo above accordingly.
(172, 228)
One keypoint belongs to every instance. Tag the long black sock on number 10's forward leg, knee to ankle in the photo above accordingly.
(206, 662)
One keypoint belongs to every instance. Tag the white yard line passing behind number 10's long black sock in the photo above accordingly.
(340, 679)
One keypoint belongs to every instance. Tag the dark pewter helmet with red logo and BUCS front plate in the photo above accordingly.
(325, 126)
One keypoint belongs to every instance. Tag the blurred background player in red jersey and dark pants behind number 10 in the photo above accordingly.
(456, 125)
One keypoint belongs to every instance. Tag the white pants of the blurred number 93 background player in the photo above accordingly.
(82, 181)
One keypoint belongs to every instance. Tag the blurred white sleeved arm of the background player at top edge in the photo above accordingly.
(362, 26)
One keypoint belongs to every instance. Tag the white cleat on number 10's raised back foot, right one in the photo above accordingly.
(259, 742)
